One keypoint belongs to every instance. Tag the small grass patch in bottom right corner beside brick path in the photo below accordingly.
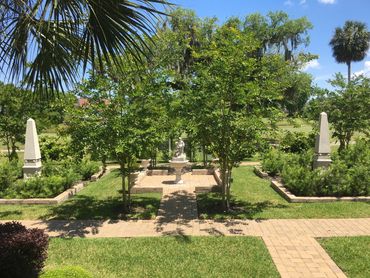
(351, 254)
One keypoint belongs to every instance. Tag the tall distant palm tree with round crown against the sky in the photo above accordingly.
(350, 43)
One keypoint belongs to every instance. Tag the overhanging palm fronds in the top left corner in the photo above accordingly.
(47, 44)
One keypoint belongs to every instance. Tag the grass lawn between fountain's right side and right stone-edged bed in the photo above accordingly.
(254, 198)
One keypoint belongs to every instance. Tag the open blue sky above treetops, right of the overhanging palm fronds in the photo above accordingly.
(325, 15)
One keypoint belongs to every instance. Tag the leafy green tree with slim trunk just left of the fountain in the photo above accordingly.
(122, 119)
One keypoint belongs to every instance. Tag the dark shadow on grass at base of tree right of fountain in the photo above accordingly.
(210, 207)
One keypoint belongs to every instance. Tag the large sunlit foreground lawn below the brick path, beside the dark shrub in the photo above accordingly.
(164, 257)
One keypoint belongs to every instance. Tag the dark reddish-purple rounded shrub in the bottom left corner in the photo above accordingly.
(22, 251)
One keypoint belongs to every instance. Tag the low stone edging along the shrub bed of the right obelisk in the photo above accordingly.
(290, 197)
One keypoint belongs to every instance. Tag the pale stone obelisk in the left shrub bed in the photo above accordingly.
(32, 154)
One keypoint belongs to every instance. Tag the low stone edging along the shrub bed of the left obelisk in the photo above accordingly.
(56, 200)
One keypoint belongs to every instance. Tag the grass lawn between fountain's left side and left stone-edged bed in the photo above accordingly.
(99, 200)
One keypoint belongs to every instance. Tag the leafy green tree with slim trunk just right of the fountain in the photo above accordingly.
(236, 90)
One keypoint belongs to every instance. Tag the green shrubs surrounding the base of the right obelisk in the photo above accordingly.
(348, 175)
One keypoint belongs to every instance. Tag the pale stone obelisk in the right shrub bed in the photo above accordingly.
(322, 145)
